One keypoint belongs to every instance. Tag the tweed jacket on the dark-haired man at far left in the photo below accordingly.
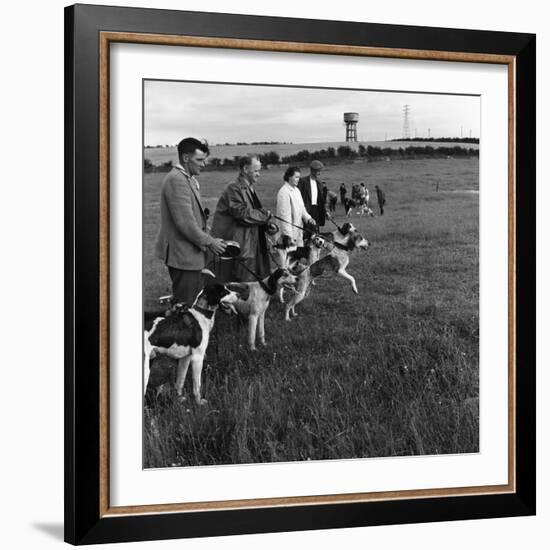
(182, 239)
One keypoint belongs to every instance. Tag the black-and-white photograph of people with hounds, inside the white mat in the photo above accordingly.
(310, 273)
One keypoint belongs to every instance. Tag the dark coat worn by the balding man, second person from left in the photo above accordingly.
(236, 218)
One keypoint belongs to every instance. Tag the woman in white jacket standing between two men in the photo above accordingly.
(290, 207)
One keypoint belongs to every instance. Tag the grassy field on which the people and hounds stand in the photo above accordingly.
(393, 371)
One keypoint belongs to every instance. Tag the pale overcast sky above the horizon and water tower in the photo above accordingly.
(230, 113)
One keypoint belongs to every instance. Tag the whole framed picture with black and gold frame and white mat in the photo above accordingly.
(300, 274)
